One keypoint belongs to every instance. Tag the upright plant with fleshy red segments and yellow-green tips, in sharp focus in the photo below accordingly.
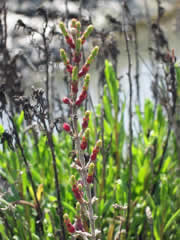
(81, 187)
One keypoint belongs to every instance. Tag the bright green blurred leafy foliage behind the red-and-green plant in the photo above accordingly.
(111, 178)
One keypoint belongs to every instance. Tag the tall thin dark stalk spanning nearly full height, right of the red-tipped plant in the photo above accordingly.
(130, 131)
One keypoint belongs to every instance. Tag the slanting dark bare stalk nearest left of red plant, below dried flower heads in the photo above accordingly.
(58, 193)
